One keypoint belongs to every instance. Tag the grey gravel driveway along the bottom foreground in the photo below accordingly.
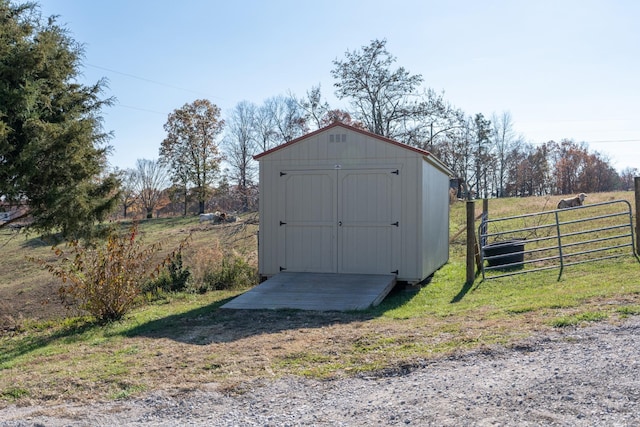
(574, 377)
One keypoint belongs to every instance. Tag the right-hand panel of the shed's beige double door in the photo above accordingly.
(368, 205)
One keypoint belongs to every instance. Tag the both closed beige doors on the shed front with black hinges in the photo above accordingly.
(344, 221)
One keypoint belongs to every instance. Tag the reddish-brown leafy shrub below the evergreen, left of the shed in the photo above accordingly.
(106, 281)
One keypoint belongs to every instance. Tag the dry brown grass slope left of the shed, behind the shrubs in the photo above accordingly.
(30, 292)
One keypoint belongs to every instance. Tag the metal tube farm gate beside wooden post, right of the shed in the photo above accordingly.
(555, 239)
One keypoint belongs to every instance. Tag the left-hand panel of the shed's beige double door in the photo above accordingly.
(309, 217)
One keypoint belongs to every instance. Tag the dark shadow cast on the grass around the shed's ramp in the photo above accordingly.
(212, 324)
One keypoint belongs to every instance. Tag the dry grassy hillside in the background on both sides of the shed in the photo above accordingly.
(28, 292)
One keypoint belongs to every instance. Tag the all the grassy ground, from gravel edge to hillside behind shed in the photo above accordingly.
(185, 341)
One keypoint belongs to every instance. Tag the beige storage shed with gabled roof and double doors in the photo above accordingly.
(344, 200)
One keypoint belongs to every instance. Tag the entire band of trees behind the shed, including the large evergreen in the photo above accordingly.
(53, 150)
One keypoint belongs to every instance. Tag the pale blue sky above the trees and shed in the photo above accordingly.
(562, 68)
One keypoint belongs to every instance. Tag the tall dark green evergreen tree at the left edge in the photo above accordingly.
(52, 147)
